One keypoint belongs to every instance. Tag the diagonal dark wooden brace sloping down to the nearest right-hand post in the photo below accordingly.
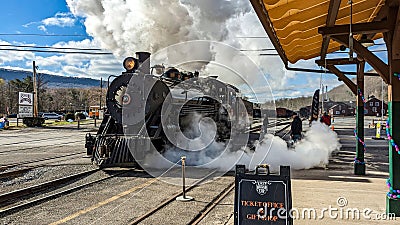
(381, 68)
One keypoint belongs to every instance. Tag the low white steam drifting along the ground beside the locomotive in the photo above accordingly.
(313, 150)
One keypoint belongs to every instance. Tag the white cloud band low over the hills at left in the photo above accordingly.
(77, 65)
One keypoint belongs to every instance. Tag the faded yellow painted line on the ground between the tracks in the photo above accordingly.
(93, 207)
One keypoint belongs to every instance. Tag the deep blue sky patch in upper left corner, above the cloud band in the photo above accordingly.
(29, 16)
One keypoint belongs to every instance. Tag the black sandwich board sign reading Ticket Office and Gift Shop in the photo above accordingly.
(261, 198)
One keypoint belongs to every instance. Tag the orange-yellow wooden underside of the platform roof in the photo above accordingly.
(292, 25)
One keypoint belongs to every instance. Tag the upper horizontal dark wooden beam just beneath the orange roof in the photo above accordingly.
(358, 28)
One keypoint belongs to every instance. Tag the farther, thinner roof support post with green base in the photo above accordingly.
(359, 163)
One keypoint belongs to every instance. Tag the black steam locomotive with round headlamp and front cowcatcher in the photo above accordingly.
(145, 104)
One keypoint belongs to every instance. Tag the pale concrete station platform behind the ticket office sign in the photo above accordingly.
(336, 186)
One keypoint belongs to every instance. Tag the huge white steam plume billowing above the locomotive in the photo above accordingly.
(127, 26)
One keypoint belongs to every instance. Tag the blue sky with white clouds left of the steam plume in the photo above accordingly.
(55, 26)
